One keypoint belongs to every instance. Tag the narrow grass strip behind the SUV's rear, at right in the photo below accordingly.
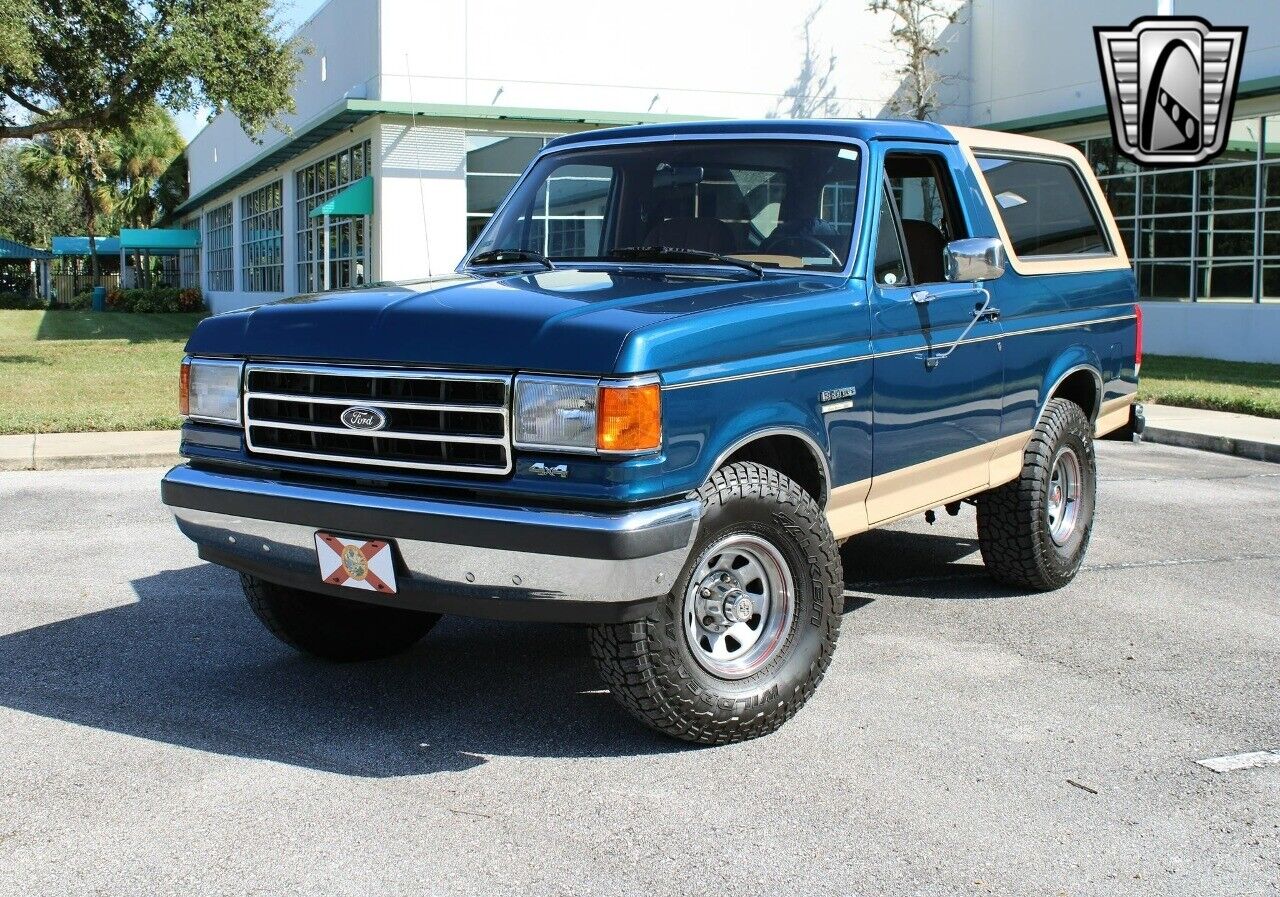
(1218, 386)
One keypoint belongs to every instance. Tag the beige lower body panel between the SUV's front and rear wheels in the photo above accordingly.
(870, 504)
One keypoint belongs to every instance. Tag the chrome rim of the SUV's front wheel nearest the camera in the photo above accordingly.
(739, 606)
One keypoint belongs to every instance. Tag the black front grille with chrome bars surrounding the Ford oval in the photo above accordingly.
(436, 420)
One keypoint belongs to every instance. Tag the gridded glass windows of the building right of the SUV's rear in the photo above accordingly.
(1204, 235)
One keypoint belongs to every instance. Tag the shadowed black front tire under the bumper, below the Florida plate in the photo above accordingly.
(331, 628)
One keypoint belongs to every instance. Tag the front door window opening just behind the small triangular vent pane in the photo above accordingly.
(930, 213)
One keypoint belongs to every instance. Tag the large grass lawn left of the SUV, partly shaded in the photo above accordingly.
(71, 372)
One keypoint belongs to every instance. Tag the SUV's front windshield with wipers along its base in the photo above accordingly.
(778, 204)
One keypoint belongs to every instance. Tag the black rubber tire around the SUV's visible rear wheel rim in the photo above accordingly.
(1013, 519)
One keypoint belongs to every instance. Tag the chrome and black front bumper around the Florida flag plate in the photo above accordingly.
(451, 557)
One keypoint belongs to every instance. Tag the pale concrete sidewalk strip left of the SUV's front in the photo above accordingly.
(54, 451)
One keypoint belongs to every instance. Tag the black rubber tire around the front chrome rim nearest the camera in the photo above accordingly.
(650, 665)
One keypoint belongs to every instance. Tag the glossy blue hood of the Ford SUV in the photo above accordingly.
(566, 321)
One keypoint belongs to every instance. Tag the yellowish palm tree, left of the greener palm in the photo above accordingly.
(84, 162)
